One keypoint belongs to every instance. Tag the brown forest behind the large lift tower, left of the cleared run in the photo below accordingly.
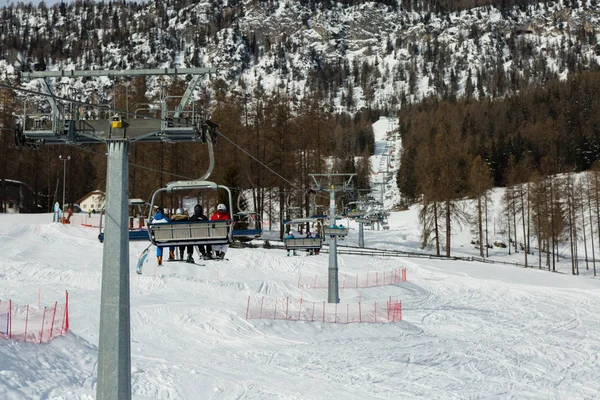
(294, 140)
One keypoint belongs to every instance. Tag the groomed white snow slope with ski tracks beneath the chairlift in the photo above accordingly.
(470, 330)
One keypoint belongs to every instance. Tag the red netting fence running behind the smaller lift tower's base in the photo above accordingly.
(346, 281)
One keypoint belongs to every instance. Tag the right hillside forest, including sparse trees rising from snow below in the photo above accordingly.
(532, 143)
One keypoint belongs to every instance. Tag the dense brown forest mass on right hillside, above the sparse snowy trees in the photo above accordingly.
(554, 128)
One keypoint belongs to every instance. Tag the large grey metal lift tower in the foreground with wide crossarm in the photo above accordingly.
(179, 125)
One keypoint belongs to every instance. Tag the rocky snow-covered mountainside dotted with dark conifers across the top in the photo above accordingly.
(358, 54)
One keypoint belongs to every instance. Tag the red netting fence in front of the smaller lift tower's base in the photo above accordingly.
(310, 311)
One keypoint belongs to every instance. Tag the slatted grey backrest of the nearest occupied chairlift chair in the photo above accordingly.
(190, 233)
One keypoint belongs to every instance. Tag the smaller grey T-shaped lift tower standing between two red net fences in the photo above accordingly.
(333, 183)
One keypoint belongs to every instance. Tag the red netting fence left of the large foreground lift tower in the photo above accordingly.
(29, 323)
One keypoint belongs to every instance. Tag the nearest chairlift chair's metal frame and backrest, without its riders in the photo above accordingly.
(179, 233)
